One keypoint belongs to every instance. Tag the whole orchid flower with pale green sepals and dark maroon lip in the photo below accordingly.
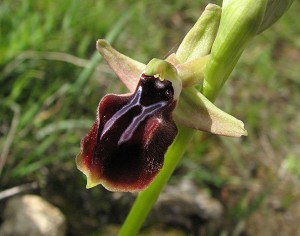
(125, 148)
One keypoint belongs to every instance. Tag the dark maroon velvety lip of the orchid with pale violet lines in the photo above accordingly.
(125, 148)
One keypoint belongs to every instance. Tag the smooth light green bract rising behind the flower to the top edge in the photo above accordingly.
(240, 22)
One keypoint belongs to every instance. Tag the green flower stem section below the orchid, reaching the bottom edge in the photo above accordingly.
(146, 199)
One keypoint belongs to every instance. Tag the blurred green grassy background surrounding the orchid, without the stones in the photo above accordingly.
(51, 81)
